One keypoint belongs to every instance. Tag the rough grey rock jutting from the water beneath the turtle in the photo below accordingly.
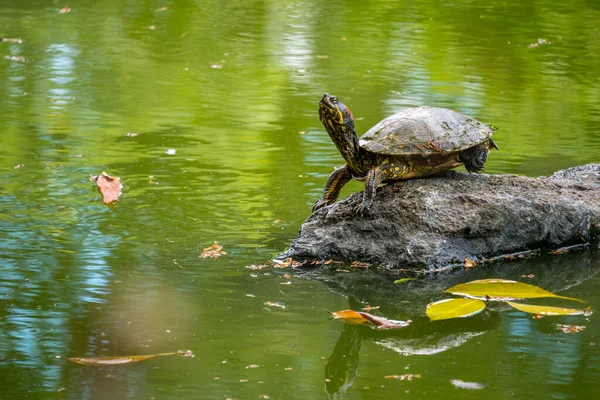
(428, 223)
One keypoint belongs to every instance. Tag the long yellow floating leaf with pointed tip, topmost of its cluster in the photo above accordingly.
(501, 289)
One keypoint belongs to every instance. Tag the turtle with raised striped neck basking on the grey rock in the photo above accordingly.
(413, 143)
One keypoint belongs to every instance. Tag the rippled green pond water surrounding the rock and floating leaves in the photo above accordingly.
(223, 97)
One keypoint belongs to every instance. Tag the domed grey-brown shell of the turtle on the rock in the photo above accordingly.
(425, 130)
